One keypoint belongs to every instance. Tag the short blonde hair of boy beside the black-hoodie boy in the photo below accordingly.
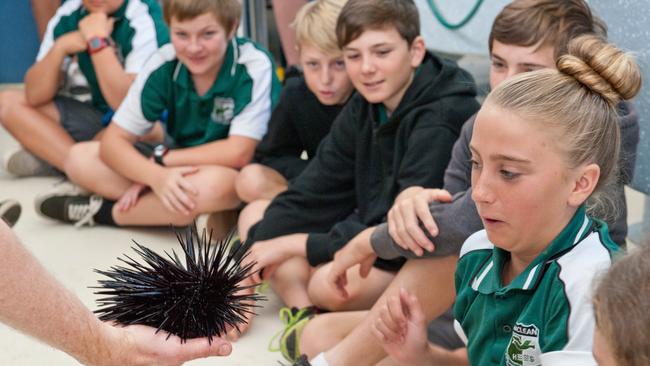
(315, 24)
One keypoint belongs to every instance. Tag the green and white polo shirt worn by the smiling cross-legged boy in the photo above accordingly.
(238, 103)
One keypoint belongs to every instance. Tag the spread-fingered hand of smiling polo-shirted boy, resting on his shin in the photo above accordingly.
(175, 191)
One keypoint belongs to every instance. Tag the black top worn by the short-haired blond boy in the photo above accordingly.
(299, 123)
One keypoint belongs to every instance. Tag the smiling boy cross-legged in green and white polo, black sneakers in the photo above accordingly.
(214, 91)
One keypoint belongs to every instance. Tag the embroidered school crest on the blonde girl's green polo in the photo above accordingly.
(523, 349)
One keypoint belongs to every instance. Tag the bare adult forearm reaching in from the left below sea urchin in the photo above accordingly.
(32, 301)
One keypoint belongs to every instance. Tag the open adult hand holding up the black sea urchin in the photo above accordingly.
(141, 345)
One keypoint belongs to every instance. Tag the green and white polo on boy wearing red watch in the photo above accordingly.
(139, 30)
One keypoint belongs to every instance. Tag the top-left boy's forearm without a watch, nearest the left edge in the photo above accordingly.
(42, 80)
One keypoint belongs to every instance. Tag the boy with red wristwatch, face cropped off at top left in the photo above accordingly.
(111, 40)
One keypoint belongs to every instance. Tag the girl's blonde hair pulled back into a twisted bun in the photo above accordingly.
(578, 103)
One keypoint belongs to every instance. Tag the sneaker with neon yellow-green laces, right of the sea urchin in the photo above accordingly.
(294, 320)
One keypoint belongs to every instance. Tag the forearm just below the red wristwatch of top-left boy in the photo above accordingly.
(113, 80)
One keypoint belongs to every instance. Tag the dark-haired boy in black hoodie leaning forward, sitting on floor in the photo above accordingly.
(396, 132)
